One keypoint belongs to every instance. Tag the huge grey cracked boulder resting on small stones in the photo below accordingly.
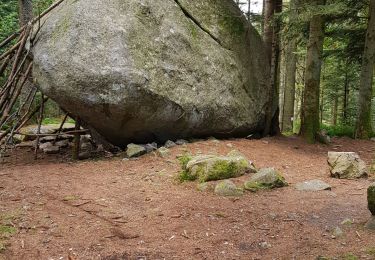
(144, 70)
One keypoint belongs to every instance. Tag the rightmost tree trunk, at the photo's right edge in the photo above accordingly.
(363, 126)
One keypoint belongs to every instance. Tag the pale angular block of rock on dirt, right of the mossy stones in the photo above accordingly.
(346, 165)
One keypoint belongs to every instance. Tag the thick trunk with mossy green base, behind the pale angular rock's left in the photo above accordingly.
(310, 124)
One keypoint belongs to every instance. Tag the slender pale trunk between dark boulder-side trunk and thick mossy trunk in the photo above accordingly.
(290, 81)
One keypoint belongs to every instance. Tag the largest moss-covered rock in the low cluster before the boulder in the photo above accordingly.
(210, 167)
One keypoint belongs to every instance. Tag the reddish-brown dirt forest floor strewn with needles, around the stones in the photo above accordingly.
(117, 209)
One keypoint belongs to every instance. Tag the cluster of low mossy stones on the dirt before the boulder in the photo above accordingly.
(207, 169)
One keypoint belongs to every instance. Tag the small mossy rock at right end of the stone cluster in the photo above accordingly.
(266, 178)
